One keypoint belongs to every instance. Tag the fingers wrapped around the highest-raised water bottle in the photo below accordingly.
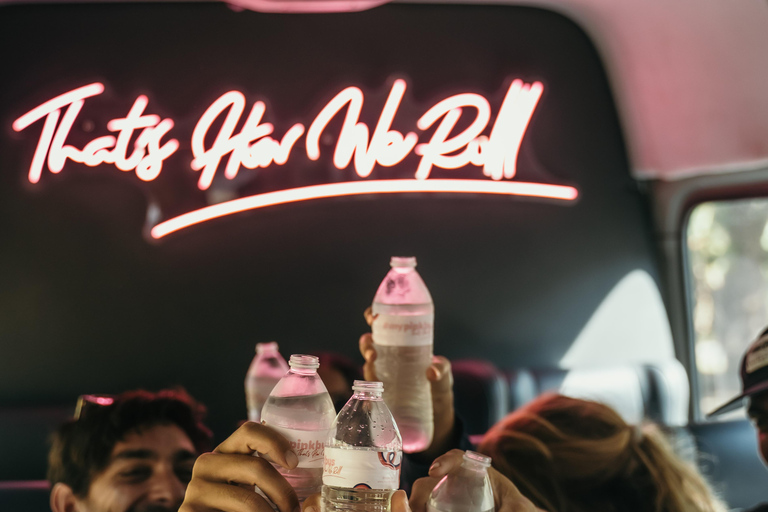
(441, 379)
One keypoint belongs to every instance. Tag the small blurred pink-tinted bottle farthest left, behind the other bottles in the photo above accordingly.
(266, 369)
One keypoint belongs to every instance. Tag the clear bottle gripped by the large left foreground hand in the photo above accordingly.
(300, 408)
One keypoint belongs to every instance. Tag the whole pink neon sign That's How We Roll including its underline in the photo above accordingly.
(254, 146)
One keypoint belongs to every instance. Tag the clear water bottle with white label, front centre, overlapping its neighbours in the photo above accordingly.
(363, 454)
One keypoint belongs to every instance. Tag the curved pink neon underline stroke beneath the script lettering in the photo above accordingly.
(293, 195)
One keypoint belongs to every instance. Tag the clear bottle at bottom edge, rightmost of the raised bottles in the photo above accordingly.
(467, 489)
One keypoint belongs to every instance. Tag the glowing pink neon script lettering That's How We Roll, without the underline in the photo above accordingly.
(254, 146)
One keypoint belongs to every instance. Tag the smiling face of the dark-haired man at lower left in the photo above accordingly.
(147, 472)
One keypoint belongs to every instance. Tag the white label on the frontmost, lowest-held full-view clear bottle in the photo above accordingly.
(362, 469)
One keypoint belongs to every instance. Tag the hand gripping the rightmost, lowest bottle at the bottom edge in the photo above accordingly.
(506, 497)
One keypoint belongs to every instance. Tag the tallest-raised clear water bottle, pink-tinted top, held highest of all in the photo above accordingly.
(403, 336)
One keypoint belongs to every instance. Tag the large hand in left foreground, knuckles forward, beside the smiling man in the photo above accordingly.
(225, 478)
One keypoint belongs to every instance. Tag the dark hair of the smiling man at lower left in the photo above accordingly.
(81, 447)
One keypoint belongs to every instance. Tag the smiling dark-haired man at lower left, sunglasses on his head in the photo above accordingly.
(130, 453)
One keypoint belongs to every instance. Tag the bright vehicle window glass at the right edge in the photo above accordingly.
(728, 274)
